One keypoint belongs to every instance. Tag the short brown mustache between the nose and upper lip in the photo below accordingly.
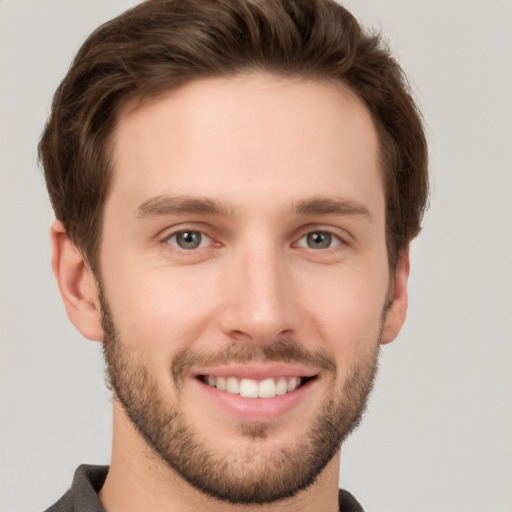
(282, 351)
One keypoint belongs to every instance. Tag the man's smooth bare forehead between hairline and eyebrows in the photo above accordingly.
(251, 136)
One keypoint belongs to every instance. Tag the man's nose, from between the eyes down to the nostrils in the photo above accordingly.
(259, 297)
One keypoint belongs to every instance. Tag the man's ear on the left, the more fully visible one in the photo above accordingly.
(77, 284)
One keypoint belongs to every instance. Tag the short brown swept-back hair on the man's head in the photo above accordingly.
(161, 44)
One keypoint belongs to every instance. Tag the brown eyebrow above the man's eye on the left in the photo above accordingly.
(179, 205)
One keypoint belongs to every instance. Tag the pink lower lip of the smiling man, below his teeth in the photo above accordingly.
(257, 409)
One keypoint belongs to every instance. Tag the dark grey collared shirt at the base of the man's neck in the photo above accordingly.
(88, 480)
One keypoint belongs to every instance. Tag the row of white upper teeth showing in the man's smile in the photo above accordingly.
(251, 388)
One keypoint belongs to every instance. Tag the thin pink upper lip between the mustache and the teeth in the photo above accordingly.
(256, 371)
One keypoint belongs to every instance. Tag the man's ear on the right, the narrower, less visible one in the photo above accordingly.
(397, 311)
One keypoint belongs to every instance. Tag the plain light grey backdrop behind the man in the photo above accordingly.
(438, 433)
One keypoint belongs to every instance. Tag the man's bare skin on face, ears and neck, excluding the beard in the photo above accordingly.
(258, 145)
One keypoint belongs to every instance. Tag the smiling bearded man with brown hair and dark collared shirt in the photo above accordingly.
(236, 183)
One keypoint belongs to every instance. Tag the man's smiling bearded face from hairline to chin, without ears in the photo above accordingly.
(245, 281)
